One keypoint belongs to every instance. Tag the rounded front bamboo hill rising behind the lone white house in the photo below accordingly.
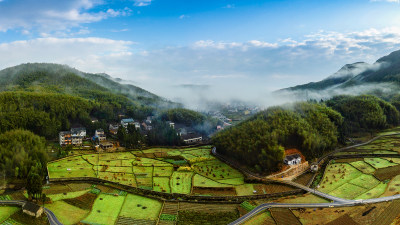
(260, 141)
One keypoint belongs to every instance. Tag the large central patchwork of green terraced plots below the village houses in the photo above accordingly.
(152, 169)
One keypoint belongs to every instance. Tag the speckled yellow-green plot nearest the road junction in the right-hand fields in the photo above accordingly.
(336, 175)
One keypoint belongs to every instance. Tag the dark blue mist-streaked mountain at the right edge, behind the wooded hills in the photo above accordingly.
(384, 73)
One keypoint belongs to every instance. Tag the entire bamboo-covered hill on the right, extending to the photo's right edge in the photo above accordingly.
(312, 127)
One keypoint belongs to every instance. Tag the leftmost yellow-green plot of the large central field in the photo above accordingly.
(70, 167)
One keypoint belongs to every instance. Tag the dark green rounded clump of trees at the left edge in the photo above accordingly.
(21, 152)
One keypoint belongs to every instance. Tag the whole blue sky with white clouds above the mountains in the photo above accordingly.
(192, 51)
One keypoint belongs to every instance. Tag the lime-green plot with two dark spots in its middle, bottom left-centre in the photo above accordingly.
(138, 207)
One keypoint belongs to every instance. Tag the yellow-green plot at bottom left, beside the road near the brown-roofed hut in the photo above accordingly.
(66, 213)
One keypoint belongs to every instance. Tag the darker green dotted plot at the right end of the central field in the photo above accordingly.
(218, 171)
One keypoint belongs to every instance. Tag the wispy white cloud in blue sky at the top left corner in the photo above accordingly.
(49, 16)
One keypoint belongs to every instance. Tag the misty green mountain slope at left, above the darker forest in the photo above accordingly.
(55, 78)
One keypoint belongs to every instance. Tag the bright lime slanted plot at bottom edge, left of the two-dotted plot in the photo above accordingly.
(105, 209)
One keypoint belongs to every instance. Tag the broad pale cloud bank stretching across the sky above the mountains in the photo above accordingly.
(242, 70)
